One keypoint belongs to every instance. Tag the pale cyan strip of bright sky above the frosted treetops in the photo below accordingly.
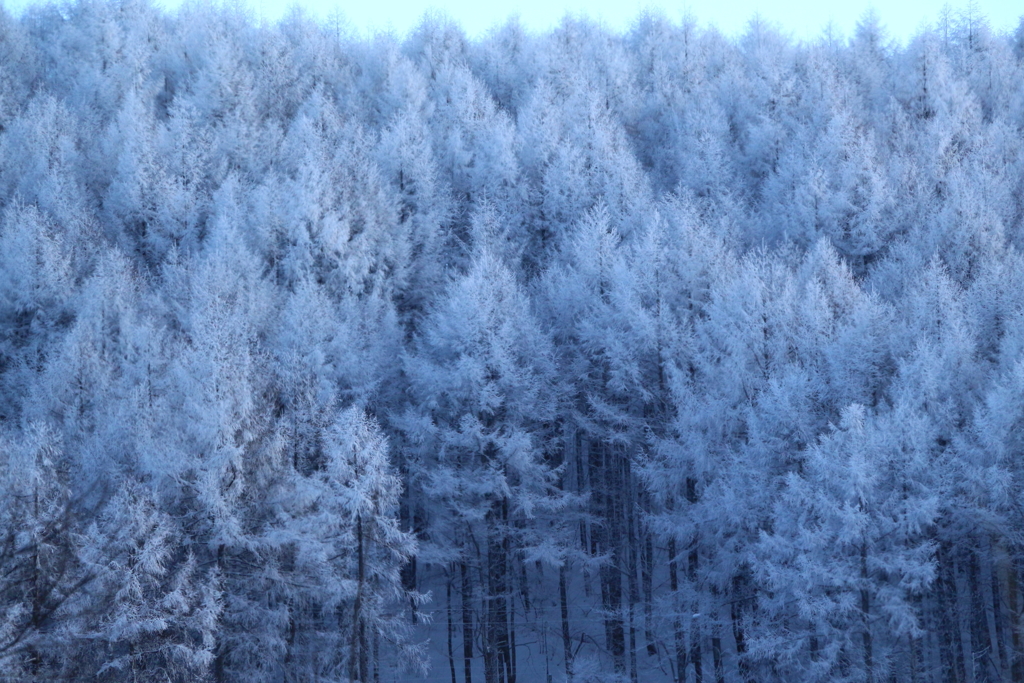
(804, 20)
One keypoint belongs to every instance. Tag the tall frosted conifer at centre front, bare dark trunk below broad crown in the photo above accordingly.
(482, 378)
